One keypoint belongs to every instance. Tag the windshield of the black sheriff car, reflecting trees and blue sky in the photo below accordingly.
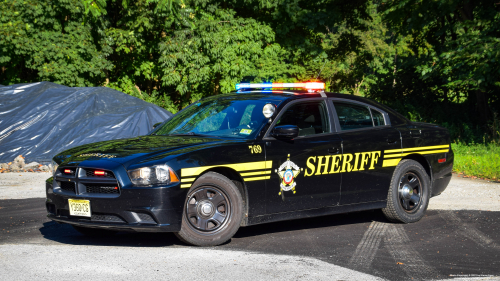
(222, 117)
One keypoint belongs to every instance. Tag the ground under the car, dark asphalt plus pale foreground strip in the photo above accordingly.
(445, 244)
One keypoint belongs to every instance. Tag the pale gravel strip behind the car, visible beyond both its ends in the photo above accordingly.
(461, 194)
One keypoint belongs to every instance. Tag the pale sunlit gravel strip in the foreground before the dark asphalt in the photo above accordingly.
(93, 263)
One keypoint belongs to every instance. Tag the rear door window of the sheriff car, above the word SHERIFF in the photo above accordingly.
(352, 116)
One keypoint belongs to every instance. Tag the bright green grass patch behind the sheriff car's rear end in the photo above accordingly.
(479, 160)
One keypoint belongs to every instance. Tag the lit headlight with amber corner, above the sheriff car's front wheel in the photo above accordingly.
(159, 174)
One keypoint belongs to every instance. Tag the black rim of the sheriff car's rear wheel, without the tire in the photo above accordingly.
(410, 191)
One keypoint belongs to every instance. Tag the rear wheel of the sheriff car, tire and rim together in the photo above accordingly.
(408, 196)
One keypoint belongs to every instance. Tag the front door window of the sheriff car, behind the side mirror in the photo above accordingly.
(310, 117)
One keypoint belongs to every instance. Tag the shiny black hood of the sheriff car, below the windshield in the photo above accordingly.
(131, 151)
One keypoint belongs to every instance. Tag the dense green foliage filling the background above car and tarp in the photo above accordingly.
(434, 61)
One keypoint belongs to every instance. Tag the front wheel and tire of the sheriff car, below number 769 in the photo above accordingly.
(213, 211)
